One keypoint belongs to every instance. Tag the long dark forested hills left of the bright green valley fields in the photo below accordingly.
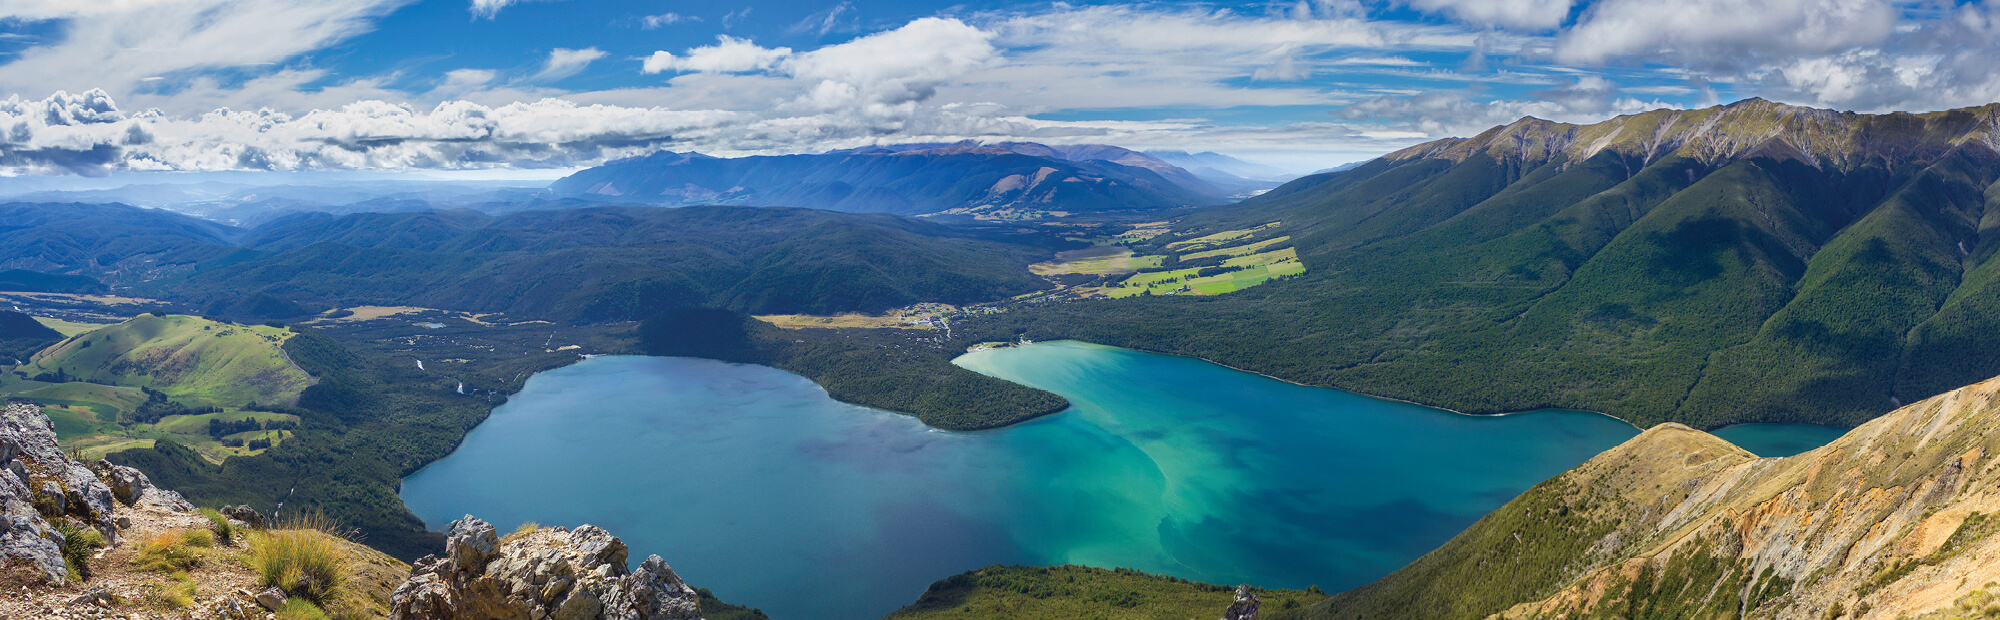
(605, 263)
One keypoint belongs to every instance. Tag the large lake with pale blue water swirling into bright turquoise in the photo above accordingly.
(755, 485)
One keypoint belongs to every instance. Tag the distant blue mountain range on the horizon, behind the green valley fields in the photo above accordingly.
(921, 181)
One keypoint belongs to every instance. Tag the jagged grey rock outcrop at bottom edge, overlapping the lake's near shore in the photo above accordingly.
(541, 575)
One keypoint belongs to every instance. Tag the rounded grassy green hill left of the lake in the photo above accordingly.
(195, 361)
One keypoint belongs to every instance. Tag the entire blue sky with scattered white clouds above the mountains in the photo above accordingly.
(99, 87)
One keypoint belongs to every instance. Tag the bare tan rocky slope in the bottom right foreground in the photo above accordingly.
(1895, 519)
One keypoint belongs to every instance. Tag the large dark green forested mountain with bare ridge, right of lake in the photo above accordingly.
(1727, 265)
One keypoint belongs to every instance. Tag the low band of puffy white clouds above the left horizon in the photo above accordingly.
(91, 135)
